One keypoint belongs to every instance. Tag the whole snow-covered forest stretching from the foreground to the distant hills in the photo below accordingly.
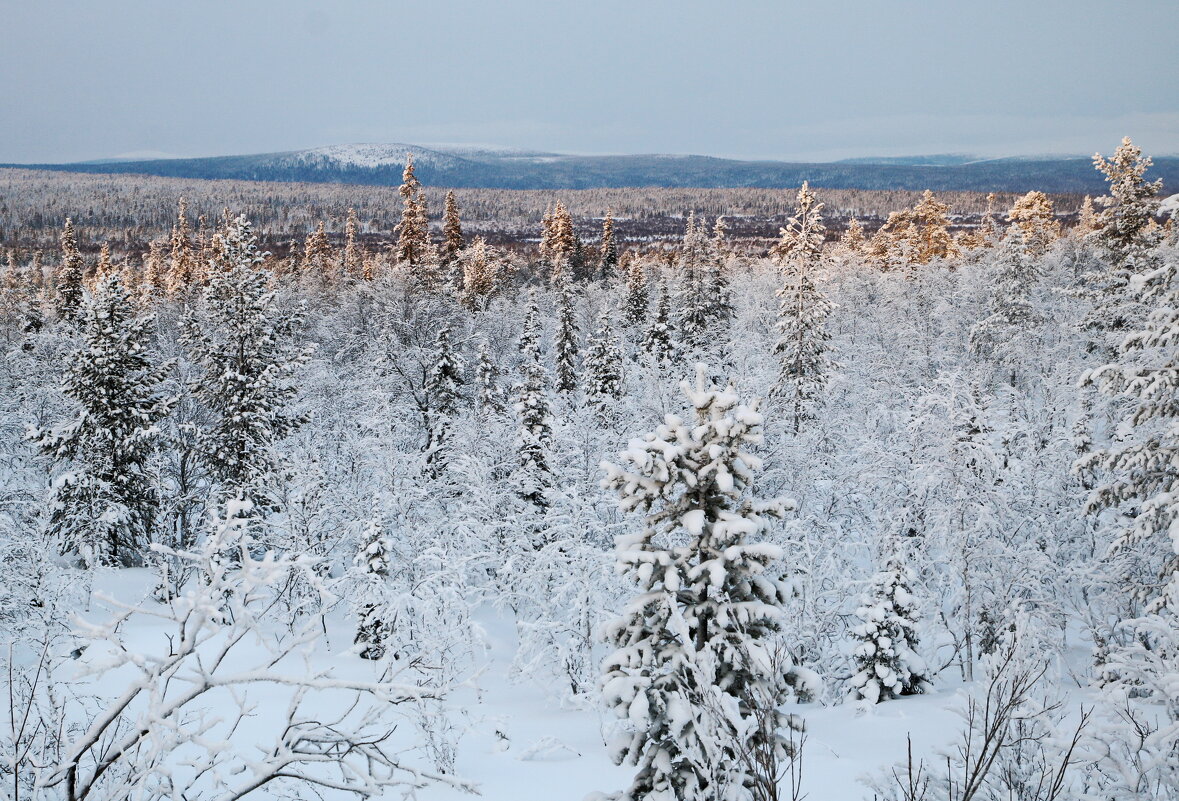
(314, 491)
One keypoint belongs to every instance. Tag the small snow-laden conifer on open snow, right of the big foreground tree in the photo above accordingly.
(887, 662)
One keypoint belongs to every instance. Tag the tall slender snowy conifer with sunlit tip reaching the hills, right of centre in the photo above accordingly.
(802, 346)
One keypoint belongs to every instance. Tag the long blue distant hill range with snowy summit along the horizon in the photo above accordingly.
(496, 168)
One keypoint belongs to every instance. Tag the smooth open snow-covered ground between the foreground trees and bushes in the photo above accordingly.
(521, 745)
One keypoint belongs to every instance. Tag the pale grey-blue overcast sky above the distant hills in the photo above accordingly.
(770, 78)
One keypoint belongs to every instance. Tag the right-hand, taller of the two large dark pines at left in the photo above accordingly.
(240, 343)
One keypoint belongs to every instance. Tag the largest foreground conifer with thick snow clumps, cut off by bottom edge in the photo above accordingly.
(691, 677)
